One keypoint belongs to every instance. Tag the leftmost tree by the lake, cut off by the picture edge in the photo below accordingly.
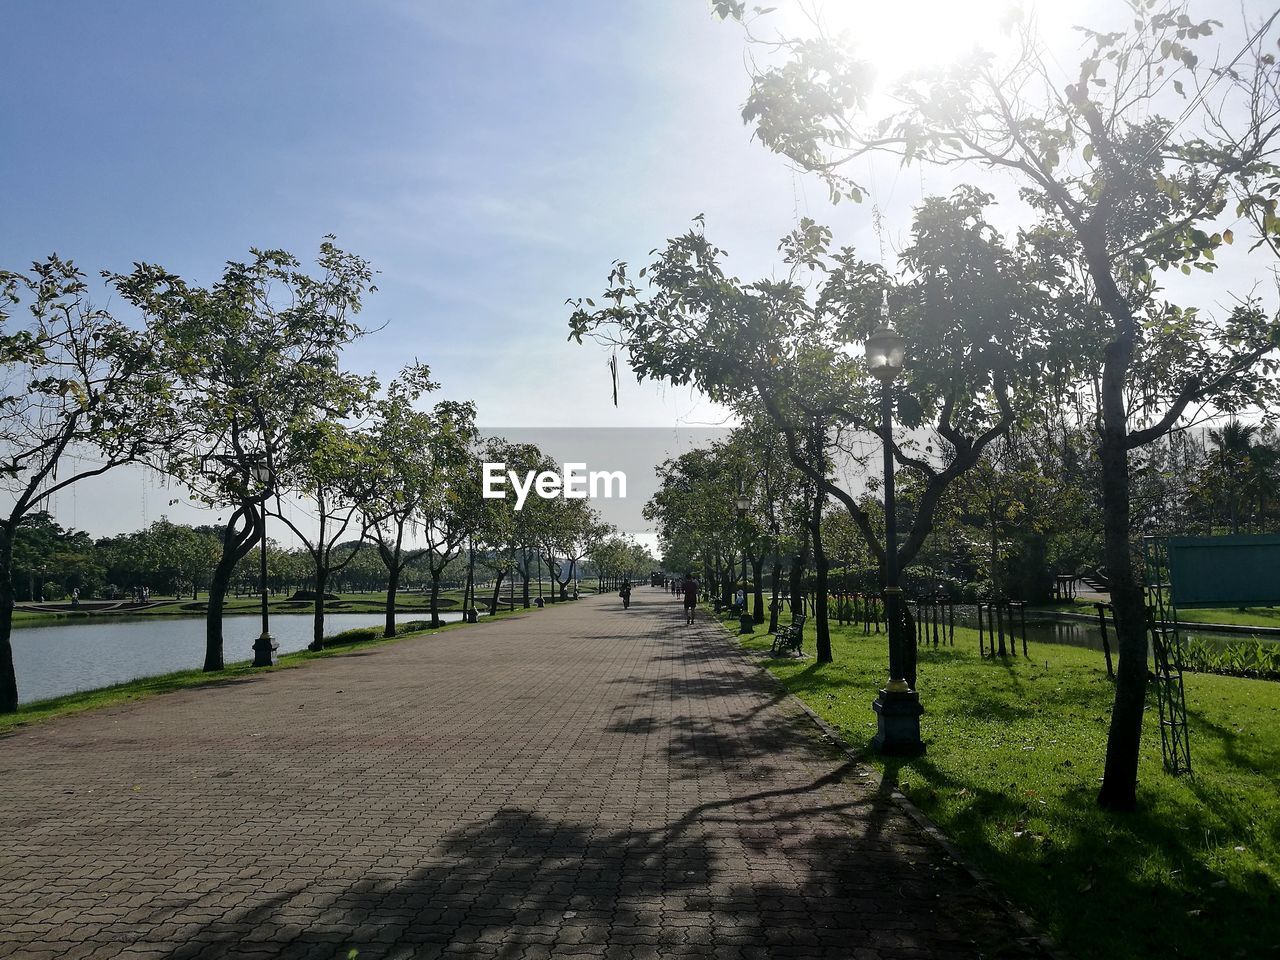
(81, 395)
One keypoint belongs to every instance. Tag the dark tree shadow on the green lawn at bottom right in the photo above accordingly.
(1100, 872)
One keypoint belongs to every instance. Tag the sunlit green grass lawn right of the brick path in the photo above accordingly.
(1014, 757)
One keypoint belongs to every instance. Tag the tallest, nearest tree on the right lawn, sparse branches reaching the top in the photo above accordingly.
(1128, 189)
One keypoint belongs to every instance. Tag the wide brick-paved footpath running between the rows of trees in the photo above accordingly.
(582, 781)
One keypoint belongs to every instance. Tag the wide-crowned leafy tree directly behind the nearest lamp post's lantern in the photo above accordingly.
(975, 312)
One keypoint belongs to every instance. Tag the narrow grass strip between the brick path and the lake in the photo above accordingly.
(161, 684)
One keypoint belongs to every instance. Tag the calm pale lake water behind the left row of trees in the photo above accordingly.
(53, 661)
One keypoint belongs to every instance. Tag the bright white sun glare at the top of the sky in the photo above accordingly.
(906, 36)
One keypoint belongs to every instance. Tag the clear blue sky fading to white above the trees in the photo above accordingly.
(490, 158)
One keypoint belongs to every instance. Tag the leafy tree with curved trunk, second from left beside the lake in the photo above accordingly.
(252, 359)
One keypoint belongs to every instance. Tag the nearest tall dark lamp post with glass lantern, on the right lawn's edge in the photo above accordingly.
(898, 708)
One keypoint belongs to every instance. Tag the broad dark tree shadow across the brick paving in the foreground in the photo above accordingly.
(806, 871)
